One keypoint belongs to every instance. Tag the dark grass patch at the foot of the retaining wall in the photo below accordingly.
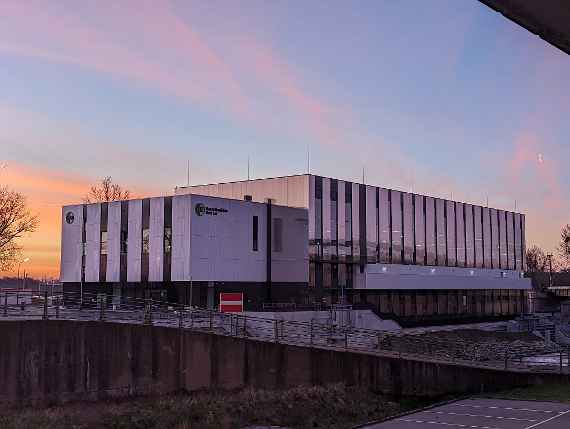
(333, 407)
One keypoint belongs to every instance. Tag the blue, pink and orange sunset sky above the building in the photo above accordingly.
(445, 97)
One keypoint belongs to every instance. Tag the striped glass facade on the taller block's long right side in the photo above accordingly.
(371, 225)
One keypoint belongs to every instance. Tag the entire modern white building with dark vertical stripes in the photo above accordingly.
(404, 255)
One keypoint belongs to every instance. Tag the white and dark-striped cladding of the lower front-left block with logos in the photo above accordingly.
(184, 238)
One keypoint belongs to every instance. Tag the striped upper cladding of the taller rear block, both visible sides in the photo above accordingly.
(353, 226)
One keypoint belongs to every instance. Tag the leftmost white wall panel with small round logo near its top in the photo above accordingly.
(71, 245)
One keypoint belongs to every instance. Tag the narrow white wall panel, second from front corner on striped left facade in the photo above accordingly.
(156, 250)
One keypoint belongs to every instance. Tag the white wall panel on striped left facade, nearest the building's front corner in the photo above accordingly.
(180, 264)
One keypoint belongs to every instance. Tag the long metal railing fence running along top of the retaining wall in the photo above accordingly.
(535, 356)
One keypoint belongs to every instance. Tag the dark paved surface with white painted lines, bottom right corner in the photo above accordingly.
(486, 414)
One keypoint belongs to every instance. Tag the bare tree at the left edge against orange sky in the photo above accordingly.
(15, 221)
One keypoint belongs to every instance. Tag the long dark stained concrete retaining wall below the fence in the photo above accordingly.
(63, 360)
